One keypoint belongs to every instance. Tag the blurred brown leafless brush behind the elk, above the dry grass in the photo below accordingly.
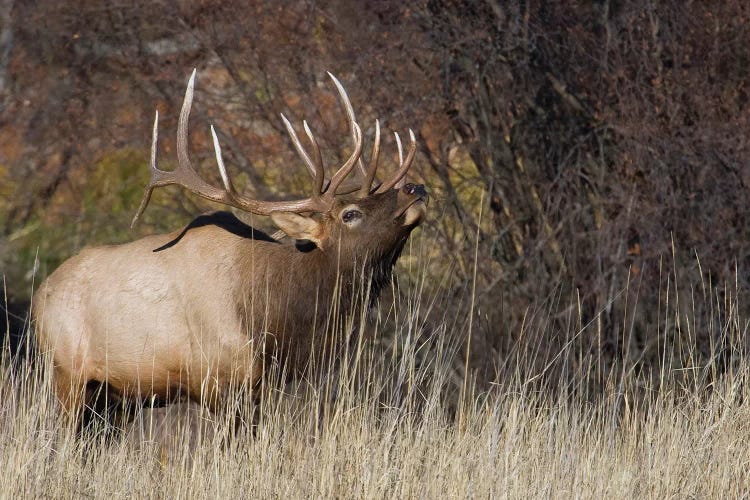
(589, 162)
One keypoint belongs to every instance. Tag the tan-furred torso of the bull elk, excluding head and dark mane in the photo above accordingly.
(126, 314)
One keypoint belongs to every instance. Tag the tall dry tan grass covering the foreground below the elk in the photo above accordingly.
(400, 418)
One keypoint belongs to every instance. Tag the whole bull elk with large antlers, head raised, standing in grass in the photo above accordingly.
(194, 311)
